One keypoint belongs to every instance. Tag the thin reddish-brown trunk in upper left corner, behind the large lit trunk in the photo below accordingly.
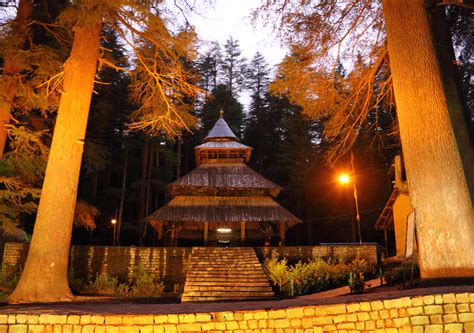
(9, 81)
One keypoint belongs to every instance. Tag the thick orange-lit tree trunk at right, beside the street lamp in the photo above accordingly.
(427, 109)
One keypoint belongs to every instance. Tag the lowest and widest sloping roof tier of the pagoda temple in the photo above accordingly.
(222, 209)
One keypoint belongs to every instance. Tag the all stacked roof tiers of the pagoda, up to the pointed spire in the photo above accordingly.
(223, 188)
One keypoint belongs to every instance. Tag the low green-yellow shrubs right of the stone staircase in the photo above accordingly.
(313, 276)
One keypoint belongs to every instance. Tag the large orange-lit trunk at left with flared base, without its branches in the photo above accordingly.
(44, 277)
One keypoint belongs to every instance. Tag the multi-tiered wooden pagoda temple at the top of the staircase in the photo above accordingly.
(222, 201)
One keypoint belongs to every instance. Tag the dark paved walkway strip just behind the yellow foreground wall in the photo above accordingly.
(111, 306)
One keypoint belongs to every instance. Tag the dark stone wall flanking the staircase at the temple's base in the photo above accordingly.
(167, 264)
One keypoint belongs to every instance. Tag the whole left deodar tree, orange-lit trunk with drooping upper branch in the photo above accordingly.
(44, 278)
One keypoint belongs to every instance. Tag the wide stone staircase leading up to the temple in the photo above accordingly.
(218, 274)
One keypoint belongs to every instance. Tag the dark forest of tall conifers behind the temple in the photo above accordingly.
(125, 172)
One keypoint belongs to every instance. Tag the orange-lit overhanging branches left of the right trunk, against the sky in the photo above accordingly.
(321, 36)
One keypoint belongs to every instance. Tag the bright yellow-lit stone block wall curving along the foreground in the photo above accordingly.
(432, 313)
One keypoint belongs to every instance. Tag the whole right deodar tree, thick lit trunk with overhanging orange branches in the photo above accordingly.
(437, 152)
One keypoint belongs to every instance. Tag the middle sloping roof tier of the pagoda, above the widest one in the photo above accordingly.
(210, 178)
